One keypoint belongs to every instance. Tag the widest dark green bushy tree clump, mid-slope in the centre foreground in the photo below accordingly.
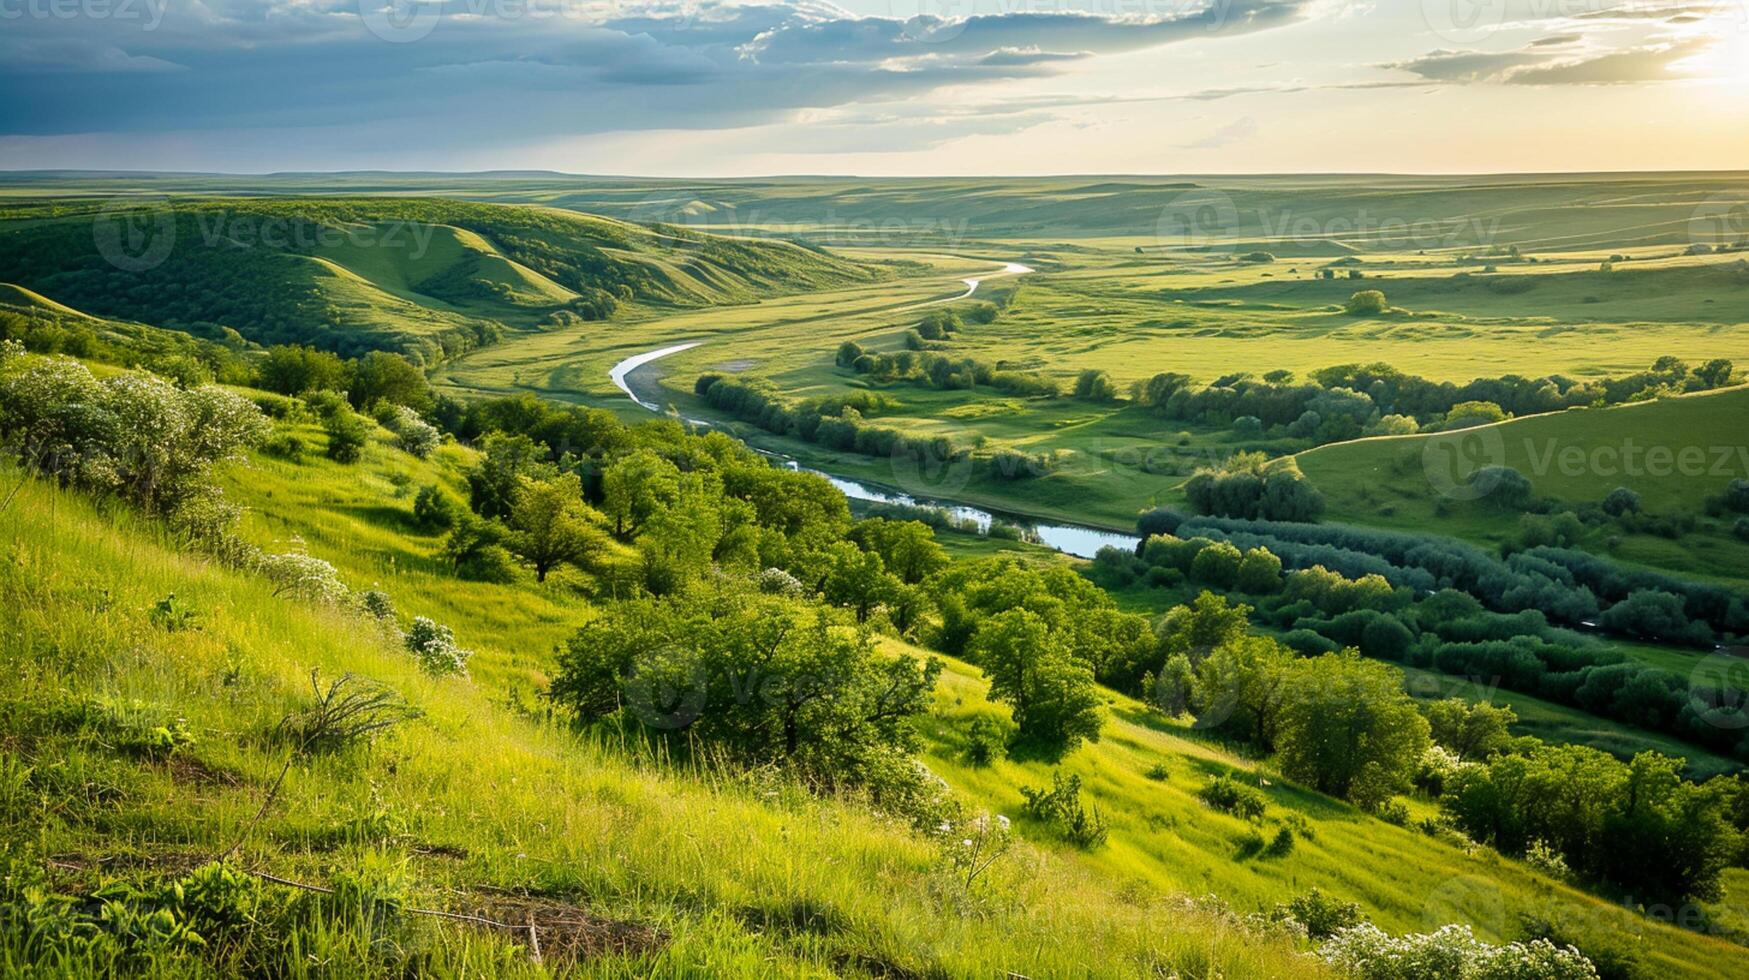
(765, 680)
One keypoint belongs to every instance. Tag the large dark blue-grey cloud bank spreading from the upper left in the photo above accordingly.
(540, 69)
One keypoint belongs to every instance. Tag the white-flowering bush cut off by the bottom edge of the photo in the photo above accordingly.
(1453, 953)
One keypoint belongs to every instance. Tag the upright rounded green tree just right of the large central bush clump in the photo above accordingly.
(1054, 699)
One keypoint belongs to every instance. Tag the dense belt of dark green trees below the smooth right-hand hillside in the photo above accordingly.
(1479, 619)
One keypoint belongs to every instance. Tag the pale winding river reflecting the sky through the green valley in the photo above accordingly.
(1082, 542)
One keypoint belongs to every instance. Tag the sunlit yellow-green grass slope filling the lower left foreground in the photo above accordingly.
(629, 867)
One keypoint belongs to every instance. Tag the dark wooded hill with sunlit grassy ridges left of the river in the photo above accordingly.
(426, 277)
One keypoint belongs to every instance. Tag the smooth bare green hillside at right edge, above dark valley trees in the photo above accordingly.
(1675, 452)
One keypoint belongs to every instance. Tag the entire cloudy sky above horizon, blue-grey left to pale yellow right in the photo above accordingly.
(875, 87)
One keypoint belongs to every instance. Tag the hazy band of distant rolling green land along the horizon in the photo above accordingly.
(1374, 213)
